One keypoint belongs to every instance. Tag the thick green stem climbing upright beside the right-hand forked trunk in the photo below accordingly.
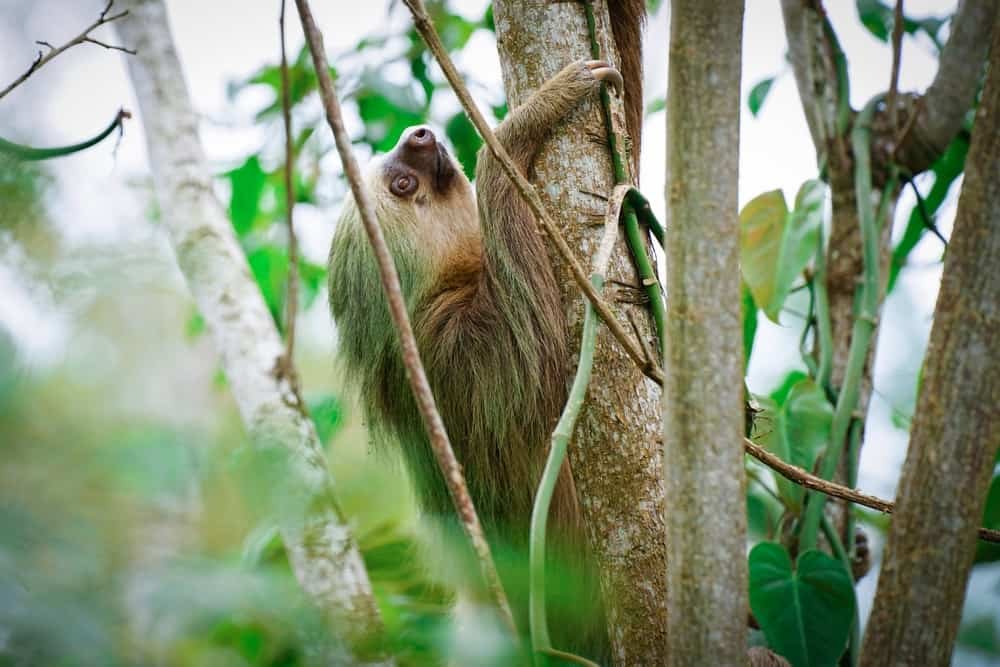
(864, 322)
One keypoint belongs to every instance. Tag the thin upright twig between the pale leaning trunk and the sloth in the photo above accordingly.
(286, 365)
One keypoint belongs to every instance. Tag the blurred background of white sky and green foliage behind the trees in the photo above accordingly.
(129, 531)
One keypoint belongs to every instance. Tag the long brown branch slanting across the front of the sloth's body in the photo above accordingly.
(450, 467)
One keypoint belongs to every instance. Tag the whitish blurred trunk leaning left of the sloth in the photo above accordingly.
(322, 551)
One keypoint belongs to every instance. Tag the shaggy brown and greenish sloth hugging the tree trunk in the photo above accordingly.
(486, 313)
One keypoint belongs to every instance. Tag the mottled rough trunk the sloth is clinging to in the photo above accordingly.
(615, 454)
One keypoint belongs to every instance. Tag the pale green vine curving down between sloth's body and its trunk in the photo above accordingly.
(538, 623)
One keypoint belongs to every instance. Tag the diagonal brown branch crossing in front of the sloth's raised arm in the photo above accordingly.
(424, 25)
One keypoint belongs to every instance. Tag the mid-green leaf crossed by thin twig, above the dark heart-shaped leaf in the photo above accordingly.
(800, 431)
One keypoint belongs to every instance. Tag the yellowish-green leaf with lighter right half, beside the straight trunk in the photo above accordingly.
(776, 244)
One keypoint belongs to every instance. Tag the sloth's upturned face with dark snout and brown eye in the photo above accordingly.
(420, 168)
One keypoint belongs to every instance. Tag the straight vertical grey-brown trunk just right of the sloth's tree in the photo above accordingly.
(703, 412)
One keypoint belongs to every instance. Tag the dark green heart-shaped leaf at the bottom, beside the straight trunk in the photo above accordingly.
(806, 614)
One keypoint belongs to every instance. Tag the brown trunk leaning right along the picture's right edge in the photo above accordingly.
(932, 537)
